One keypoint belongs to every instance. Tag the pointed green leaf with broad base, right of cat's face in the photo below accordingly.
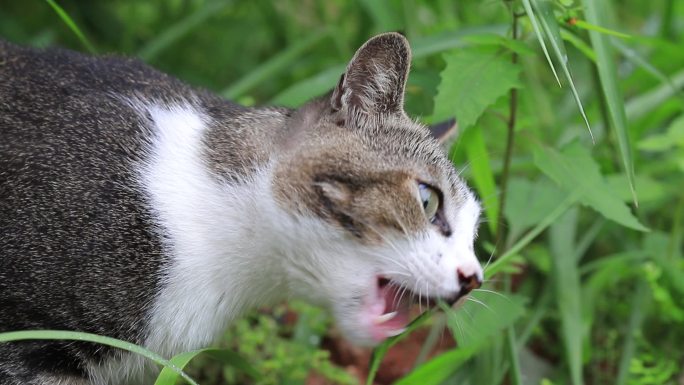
(574, 169)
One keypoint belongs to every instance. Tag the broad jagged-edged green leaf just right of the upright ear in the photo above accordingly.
(472, 80)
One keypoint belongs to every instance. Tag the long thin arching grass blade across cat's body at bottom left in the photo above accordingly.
(89, 337)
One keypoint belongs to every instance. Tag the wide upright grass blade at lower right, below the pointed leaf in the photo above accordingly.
(566, 279)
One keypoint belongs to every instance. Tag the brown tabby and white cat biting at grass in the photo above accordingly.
(136, 207)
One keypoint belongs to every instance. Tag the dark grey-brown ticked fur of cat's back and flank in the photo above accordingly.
(73, 215)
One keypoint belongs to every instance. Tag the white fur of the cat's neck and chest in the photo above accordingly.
(219, 235)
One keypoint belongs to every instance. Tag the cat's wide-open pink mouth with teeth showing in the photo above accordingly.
(393, 304)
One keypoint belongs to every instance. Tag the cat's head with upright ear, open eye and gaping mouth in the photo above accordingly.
(379, 217)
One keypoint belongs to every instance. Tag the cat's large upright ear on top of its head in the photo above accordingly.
(375, 77)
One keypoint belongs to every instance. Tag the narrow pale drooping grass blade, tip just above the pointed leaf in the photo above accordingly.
(550, 27)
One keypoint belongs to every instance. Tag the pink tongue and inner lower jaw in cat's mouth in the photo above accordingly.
(389, 312)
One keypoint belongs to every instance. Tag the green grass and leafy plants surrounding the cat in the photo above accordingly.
(584, 232)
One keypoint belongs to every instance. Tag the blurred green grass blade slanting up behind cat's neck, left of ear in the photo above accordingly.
(275, 65)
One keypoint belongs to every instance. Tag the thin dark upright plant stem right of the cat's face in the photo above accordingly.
(513, 108)
